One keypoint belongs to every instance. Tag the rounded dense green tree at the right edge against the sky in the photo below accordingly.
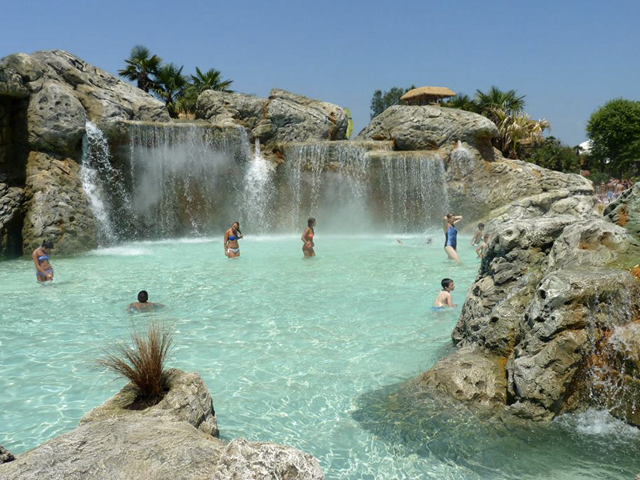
(614, 130)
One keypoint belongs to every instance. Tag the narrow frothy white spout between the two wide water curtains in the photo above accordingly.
(258, 192)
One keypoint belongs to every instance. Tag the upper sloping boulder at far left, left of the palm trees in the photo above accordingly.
(64, 91)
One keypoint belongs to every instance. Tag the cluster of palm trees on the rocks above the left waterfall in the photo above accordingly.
(166, 82)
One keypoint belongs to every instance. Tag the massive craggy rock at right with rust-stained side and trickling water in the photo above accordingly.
(550, 324)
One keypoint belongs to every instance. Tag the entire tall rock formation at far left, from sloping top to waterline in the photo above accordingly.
(45, 101)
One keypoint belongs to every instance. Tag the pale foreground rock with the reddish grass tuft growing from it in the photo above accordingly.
(175, 439)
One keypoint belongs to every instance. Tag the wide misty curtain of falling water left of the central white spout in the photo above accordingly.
(185, 179)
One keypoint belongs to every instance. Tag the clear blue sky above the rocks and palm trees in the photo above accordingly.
(567, 57)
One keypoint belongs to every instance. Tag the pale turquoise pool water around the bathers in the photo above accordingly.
(299, 352)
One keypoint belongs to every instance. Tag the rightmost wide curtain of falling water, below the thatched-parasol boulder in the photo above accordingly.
(414, 189)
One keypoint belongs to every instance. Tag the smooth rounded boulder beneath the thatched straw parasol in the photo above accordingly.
(412, 127)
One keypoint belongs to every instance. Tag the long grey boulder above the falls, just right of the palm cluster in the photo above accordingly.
(284, 117)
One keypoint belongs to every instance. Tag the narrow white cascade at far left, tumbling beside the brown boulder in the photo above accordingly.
(97, 174)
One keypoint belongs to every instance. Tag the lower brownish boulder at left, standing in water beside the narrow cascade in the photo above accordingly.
(56, 206)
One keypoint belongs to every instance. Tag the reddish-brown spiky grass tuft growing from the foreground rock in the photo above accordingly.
(143, 363)
